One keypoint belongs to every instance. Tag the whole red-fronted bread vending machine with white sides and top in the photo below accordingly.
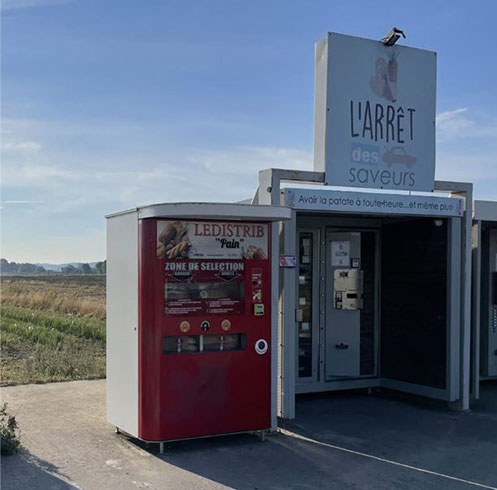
(203, 332)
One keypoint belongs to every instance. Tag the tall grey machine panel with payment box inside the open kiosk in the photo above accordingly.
(344, 300)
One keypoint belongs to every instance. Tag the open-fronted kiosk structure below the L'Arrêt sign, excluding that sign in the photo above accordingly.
(376, 298)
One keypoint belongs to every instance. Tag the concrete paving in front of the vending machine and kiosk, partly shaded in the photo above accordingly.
(69, 445)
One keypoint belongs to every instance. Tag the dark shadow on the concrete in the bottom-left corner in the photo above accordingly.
(25, 471)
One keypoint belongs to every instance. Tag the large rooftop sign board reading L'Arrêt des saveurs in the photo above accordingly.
(375, 114)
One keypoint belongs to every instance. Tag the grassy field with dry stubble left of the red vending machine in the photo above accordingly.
(52, 328)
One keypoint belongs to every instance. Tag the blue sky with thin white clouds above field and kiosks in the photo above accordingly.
(107, 104)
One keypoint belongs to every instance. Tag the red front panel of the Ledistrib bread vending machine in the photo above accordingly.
(205, 328)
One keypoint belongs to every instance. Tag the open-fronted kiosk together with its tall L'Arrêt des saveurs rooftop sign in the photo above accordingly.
(375, 285)
